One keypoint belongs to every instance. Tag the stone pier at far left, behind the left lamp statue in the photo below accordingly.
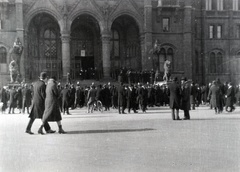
(20, 34)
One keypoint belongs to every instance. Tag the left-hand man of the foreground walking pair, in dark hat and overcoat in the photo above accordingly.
(38, 103)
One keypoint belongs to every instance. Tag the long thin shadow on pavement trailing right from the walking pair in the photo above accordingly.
(108, 131)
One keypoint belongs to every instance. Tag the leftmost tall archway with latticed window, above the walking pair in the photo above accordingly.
(44, 47)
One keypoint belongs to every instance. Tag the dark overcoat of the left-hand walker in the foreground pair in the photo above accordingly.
(38, 101)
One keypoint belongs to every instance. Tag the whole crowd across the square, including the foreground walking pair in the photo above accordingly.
(46, 99)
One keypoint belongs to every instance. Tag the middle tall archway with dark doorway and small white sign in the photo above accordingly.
(86, 56)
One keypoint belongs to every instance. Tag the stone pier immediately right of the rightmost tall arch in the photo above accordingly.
(146, 64)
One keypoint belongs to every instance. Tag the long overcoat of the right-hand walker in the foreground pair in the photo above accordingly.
(52, 108)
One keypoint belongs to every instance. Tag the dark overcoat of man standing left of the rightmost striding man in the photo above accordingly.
(214, 96)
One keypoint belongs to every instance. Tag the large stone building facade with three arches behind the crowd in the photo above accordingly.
(201, 38)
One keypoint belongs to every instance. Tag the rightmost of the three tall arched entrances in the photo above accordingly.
(125, 44)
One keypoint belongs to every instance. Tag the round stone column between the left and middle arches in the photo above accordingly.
(66, 60)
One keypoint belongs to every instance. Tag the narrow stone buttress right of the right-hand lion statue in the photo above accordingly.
(187, 41)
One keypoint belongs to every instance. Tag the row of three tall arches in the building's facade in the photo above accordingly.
(46, 51)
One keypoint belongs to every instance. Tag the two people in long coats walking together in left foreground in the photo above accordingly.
(45, 105)
